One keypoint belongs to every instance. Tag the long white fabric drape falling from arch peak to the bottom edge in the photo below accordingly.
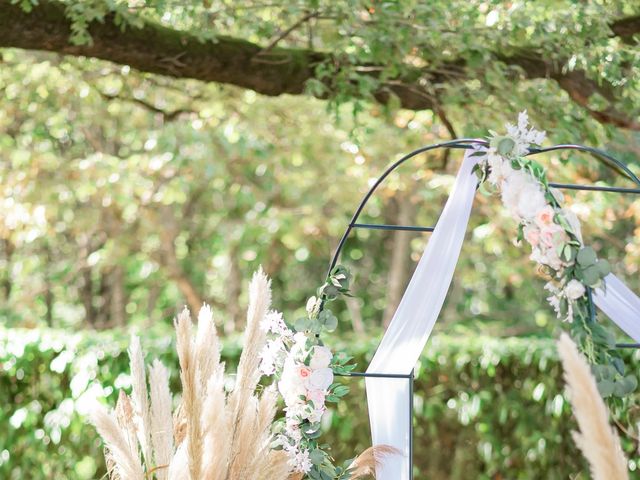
(412, 323)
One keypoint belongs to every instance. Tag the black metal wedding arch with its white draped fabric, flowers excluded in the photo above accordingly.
(390, 376)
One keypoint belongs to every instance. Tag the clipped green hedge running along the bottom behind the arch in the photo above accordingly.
(484, 408)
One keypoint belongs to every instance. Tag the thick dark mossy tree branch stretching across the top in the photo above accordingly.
(158, 49)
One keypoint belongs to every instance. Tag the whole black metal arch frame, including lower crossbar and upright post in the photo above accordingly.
(466, 144)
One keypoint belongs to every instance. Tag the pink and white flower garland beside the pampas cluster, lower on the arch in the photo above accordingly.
(304, 369)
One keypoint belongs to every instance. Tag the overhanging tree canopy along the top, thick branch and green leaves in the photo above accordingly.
(420, 55)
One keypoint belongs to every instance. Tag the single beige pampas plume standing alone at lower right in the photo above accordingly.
(598, 442)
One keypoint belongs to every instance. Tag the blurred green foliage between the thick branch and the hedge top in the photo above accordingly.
(117, 212)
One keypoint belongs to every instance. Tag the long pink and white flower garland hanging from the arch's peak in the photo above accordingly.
(555, 237)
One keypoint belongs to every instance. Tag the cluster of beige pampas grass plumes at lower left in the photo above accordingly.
(213, 434)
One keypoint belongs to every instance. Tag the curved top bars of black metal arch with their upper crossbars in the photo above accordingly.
(469, 143)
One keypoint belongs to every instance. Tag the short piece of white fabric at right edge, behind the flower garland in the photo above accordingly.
(620, 304)
